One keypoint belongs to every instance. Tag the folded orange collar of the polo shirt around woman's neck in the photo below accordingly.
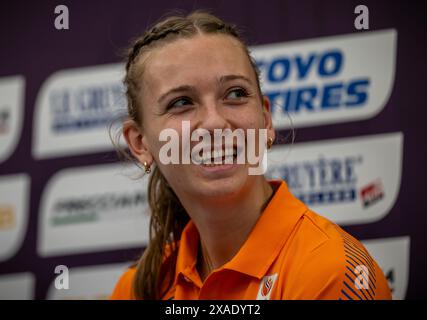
(263, 245)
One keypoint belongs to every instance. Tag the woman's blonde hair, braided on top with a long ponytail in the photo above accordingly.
(168, 217)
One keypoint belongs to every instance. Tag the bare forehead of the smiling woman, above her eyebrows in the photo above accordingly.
(195, 60)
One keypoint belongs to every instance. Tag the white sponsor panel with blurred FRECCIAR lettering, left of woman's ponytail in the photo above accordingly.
(101, 204)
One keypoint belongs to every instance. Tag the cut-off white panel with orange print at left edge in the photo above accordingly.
(14, 197)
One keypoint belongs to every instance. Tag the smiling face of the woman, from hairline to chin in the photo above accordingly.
(207, 80)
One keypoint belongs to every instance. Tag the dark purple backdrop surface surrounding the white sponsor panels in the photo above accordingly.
(31, 46)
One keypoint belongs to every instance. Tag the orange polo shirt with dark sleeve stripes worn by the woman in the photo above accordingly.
(291, 253)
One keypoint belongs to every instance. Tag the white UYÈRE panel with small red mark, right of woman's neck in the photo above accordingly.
(354, 180)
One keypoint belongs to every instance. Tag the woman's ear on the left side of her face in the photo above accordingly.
(136, 142)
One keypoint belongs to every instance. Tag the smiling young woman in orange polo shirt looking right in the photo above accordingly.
(218, 232)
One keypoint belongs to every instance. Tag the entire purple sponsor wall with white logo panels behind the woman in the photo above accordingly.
(354, 99)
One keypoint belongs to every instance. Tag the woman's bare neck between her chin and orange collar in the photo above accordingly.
(225, 225)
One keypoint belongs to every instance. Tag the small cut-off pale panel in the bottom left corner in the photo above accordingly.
(18, 286)
